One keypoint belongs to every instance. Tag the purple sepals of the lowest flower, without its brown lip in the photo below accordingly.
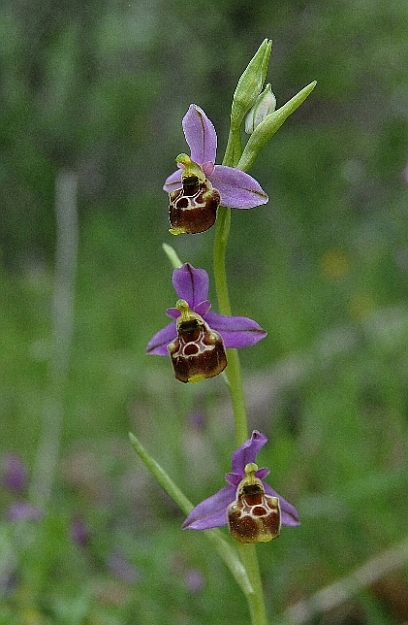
(212, 512)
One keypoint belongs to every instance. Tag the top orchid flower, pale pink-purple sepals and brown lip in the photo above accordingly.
(199, 186)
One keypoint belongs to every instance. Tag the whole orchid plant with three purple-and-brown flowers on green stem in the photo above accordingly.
(202, 344)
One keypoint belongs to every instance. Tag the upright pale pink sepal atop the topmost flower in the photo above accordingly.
(200, 135)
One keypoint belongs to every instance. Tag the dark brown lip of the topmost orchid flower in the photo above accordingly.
(193, 208)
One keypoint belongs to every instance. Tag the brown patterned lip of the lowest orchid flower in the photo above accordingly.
(254, 516)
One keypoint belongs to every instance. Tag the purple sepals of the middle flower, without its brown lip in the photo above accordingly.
(192, 285)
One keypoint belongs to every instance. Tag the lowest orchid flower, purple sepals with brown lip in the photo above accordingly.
(251, 508)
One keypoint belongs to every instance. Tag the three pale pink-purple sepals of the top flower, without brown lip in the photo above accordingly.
(237, 188)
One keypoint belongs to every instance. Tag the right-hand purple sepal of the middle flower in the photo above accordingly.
(236, 332)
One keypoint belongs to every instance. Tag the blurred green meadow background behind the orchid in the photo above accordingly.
(99, 89)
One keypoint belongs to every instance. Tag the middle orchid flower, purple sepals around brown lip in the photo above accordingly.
(197, 338)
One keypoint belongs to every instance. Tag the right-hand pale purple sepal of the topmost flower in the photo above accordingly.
(238, 189)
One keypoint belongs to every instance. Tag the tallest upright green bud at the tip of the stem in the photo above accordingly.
(250, 83)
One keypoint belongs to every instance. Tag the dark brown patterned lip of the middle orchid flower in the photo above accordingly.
(198, 352)
